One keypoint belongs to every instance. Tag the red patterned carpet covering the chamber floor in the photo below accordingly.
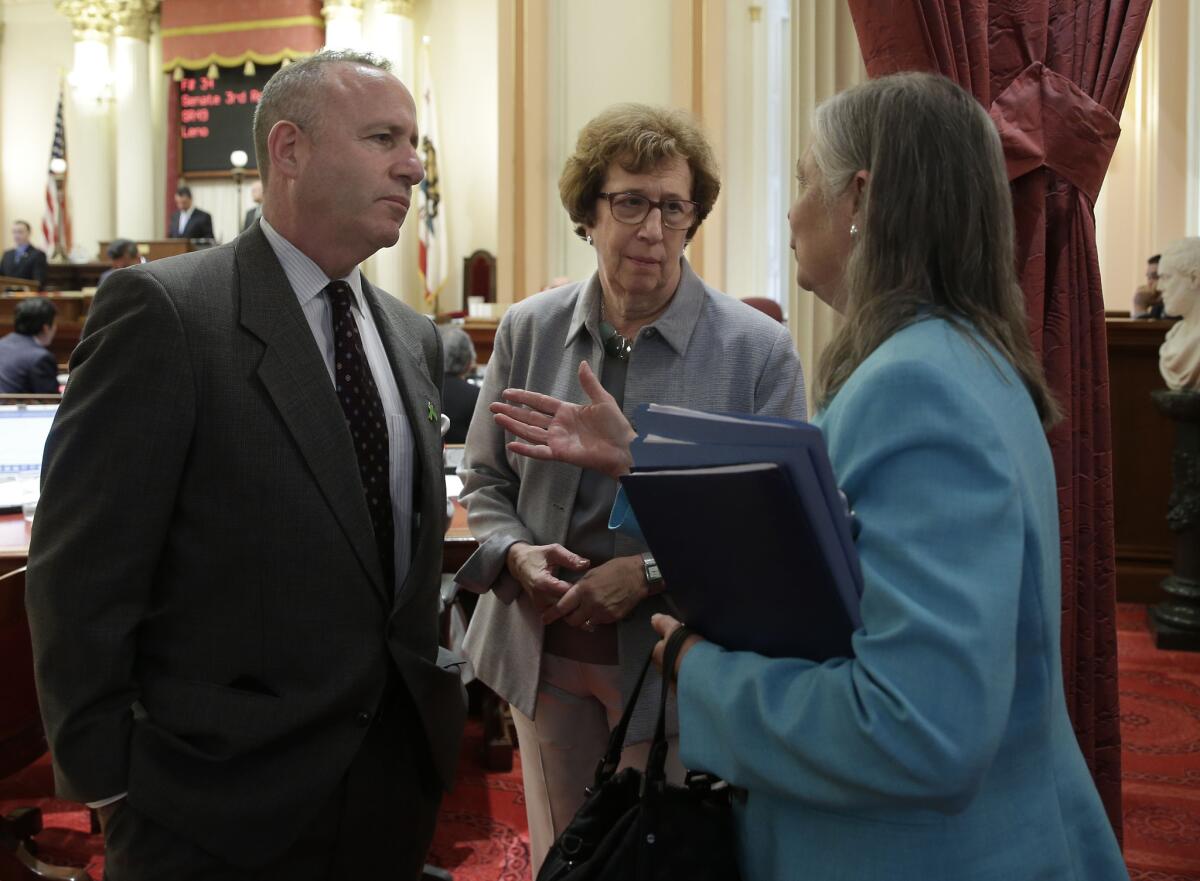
(482, 835)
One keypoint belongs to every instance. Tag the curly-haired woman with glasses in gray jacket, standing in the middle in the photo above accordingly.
(563, 621)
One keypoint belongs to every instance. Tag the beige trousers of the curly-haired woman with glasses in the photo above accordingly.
(578, 708)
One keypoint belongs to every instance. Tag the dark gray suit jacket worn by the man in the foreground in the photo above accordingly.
(212, 630)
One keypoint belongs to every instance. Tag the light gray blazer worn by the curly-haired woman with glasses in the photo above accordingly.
(707, 351)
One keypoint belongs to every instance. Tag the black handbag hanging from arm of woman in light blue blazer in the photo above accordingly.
(635, 826)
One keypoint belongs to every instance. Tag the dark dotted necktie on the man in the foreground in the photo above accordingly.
(361, 401)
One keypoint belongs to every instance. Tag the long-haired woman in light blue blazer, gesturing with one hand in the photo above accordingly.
(943, 750)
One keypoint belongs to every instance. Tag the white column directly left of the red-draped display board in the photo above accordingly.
(135, 116)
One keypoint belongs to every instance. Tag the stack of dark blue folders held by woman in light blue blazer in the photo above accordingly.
(753, 536)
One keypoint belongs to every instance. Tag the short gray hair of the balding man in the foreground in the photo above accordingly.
(293, 95)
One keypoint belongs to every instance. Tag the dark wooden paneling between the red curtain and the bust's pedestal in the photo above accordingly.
(1143, 440)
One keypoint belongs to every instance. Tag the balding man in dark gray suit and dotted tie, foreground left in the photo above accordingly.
(233, 583)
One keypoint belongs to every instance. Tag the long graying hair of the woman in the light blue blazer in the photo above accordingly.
(937, 224)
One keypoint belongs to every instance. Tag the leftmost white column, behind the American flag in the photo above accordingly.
(88, 128)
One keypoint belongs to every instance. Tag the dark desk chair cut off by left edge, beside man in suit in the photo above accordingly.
(22, 740)
